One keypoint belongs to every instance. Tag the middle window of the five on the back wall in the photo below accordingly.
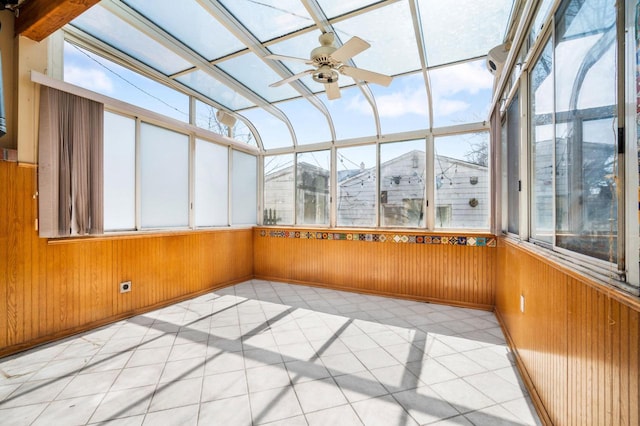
(357, 186)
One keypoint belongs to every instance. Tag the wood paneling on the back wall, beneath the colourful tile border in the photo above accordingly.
(455, 274)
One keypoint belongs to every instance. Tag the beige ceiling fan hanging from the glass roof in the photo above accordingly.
(329, 63)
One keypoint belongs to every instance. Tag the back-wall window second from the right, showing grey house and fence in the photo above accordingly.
(402, 183)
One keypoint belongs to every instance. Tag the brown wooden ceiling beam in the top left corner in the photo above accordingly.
(40, 18)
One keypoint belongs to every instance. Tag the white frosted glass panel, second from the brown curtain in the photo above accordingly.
(164, 177)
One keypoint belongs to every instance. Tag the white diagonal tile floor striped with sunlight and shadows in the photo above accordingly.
(272, 353)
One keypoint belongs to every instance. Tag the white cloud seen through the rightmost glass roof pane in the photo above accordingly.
(470, 77)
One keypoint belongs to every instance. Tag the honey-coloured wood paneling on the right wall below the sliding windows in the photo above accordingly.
(577, 342)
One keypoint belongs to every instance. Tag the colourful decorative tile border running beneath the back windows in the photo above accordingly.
(383, 238)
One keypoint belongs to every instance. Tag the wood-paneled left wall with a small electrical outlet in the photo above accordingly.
(51, 289)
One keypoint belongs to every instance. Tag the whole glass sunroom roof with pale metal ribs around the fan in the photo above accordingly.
(217, 50)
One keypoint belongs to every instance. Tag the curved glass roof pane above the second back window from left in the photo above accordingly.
(310, 125)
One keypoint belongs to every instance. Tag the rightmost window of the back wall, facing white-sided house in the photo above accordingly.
(462, 180)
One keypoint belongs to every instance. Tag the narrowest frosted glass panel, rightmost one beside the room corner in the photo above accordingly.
(244, 179)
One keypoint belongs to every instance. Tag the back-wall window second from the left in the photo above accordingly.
(313, 171)
